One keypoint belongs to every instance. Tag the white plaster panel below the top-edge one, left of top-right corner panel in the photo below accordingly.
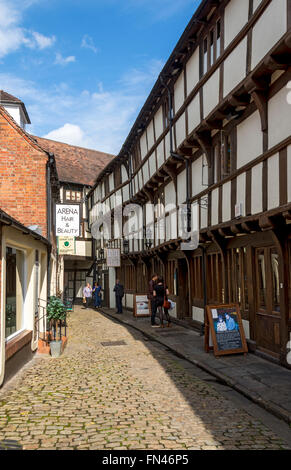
(235, 67)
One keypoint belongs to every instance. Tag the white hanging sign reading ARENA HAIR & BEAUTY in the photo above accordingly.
(67, 220)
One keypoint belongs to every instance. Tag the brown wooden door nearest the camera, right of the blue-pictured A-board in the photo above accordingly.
(267, 301)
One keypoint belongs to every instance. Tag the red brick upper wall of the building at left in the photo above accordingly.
(22, 178)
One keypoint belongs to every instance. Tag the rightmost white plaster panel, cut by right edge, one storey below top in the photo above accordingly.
(279, 110)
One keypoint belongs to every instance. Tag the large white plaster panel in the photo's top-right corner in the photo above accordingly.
(268, 30)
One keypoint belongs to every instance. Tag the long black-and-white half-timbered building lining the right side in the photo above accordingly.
(213, 136)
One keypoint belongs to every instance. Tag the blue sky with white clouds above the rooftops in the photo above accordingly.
(85, 67)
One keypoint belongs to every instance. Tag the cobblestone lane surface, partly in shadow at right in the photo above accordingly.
(130, 396)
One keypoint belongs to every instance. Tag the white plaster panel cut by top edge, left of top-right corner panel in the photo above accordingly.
(236, 16)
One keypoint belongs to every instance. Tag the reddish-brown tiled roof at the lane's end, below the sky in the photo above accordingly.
(75, 164)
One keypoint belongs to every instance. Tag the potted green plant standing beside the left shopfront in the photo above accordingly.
(56, 314)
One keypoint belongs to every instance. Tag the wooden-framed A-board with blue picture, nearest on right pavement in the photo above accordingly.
(224, 323)
